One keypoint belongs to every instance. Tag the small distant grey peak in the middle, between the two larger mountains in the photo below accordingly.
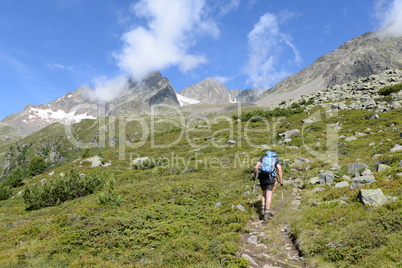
(208, 90)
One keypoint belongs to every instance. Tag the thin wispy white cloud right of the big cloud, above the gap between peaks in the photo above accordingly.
(266, 44)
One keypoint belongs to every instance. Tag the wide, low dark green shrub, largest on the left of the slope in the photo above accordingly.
(62, 189)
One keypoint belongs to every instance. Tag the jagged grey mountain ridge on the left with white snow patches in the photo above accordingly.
(76, 106)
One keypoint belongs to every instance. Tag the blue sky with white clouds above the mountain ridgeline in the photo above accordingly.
(51, 47)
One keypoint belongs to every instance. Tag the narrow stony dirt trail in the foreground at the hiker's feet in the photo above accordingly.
(267, 244)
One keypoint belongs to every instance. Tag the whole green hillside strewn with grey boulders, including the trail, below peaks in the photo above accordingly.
(177, 191)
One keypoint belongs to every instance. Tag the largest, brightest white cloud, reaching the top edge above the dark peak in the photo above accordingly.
(172, 27)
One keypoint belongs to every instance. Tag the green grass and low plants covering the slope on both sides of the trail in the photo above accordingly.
(168, 214)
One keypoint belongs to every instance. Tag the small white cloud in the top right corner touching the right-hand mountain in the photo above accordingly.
(389, 17)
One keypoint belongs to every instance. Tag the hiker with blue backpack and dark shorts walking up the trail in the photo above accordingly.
(266, 169)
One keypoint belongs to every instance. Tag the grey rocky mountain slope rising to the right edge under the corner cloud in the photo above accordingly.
(368, 54)
